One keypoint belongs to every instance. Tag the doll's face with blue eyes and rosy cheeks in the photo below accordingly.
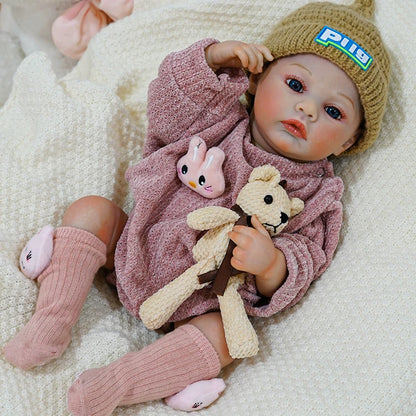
(305, 108)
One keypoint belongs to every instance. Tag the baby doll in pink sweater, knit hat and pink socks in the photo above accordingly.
(319, 85)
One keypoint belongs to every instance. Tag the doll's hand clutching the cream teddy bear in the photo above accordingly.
(256, 254)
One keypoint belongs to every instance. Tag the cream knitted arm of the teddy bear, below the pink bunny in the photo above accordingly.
(210, 217)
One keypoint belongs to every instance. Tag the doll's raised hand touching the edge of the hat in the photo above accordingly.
(235, 54)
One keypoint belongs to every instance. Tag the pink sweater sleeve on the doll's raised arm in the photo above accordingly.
(188, 98)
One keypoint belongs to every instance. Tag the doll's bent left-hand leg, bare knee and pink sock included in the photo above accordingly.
(91, 227)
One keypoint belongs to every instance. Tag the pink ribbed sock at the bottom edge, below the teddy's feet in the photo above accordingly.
(157, 371)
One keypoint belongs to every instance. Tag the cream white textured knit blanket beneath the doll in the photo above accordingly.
(349, 348)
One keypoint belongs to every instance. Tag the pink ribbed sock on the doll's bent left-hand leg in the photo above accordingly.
(64, 285)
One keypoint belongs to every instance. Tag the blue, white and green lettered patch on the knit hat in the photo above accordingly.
(328, 36)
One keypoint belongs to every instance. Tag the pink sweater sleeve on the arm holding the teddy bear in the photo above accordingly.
(308, 250)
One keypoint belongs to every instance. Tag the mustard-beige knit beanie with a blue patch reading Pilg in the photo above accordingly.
(346, 36)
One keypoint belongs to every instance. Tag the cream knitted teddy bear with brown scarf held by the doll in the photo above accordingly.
(263, 196)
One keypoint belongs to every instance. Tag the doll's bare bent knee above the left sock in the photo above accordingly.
(97, 215)
